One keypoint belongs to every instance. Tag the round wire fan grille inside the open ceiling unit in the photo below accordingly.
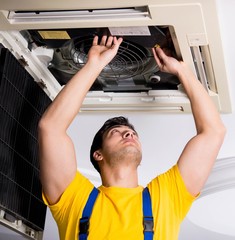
(131, 59)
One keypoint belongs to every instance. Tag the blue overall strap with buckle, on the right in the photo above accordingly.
(147, 215)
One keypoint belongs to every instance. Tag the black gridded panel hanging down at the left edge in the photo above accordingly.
(22, 103)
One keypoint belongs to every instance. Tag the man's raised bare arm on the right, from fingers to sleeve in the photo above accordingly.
(199, 154)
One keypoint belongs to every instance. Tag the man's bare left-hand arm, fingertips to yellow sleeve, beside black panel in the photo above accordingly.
(57, 155)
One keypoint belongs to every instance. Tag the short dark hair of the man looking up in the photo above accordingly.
(98, 139)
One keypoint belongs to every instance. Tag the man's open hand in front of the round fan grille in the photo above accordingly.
(103, 52)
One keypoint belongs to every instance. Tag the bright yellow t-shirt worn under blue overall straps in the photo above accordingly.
(118, 213)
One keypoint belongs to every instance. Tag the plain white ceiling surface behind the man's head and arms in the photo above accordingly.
(163, 138)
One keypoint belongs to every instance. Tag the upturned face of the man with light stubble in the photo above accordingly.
(121, 144)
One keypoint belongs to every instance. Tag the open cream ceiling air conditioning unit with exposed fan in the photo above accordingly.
(52, 38)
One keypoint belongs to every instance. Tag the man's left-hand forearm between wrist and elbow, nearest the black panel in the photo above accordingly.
(67, 104)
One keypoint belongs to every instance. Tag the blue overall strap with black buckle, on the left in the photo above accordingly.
(84, 221)
